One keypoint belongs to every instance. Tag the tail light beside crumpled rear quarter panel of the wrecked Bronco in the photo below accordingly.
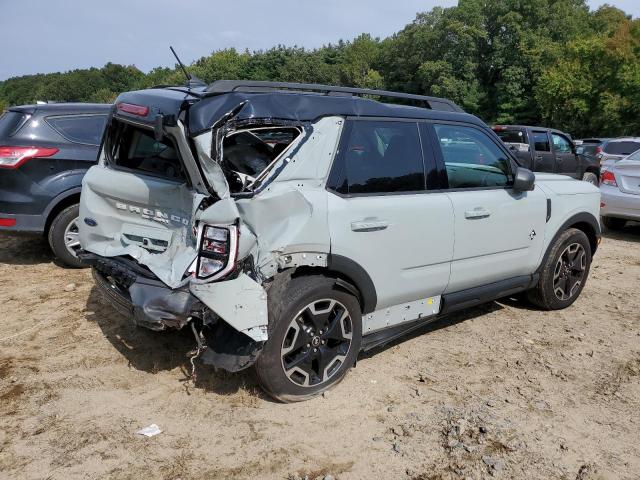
(218, 251)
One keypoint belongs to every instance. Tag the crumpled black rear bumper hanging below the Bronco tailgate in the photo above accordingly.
(145, 300)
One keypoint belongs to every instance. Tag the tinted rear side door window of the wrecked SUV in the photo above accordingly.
(378, 157)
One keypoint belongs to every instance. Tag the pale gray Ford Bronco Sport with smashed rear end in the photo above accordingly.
(292, 226)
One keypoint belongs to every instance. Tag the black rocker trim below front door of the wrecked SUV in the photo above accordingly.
(475, 296)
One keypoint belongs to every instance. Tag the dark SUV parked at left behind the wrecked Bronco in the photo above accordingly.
(45, 151)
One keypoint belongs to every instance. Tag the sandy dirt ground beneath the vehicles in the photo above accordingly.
(500, 391)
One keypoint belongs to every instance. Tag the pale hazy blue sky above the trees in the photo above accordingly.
(42, 36)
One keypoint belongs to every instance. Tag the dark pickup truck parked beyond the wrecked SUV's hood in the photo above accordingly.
(547, 150)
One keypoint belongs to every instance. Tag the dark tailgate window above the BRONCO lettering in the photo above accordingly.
(137, 149)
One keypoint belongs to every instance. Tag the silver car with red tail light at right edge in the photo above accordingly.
(620, 189)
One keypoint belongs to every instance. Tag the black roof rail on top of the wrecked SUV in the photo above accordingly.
(227, 86)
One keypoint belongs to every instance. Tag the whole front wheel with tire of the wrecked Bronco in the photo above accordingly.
(564, 272)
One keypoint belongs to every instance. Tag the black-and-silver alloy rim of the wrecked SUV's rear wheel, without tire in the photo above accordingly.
(317, 343)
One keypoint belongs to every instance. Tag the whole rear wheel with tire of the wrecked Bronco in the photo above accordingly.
(315, 334)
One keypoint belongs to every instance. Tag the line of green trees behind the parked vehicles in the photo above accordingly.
(538, 62)
